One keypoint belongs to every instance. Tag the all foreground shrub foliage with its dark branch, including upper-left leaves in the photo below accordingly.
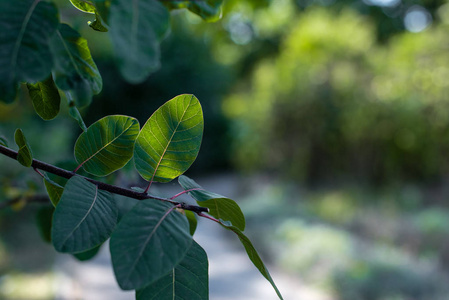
(151, 244)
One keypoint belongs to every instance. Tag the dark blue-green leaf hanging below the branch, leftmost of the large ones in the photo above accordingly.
(84, 217)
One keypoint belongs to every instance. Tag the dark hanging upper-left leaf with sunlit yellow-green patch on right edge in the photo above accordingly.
(74, 68)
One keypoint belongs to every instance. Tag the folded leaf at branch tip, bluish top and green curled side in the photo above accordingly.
(219, 206)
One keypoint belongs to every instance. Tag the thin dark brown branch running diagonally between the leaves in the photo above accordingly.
(37, 164)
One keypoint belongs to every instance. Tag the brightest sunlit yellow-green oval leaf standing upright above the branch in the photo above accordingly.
(170, 140)
